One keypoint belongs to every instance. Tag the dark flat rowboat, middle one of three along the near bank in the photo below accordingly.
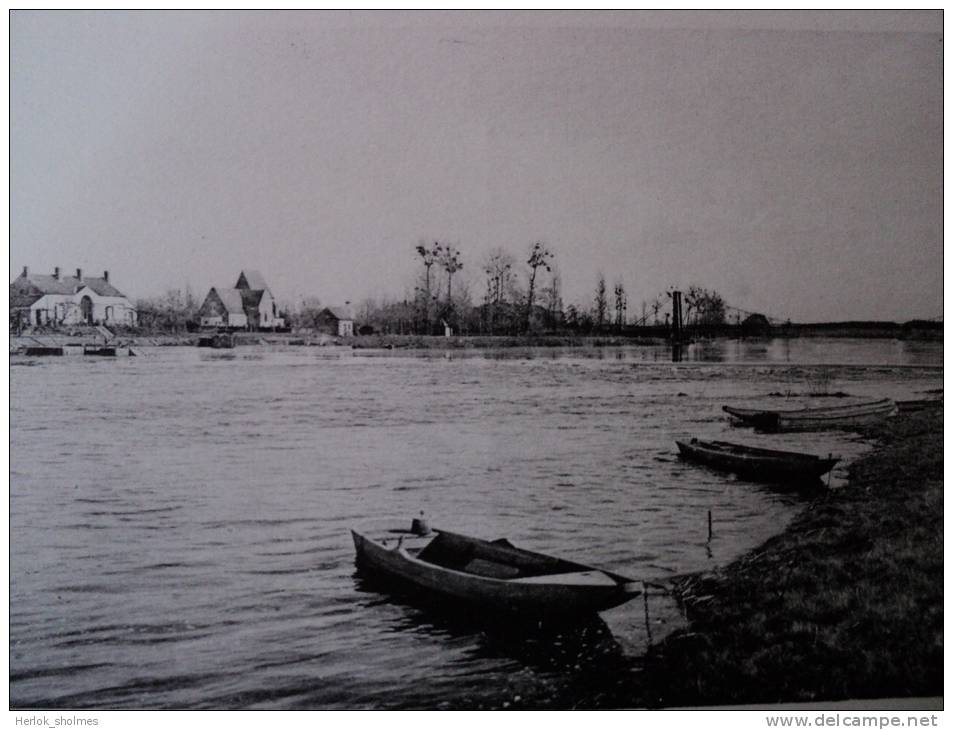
(757, 463)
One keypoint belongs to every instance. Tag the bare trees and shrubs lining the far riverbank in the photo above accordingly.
(505, 295)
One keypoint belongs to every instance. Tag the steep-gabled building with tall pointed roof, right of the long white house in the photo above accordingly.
(249, 305)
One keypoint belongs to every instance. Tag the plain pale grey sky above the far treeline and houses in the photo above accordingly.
(791, 161)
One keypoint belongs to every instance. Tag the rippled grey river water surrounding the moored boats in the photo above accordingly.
(179, 520)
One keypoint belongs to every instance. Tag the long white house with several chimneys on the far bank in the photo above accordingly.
(38, 300)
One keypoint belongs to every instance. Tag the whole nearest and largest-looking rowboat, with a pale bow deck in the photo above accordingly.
(494, 575)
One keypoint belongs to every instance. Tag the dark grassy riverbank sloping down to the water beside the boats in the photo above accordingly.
(846, 603)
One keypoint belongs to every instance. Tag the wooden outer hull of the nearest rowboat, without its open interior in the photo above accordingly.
(527, 598)
